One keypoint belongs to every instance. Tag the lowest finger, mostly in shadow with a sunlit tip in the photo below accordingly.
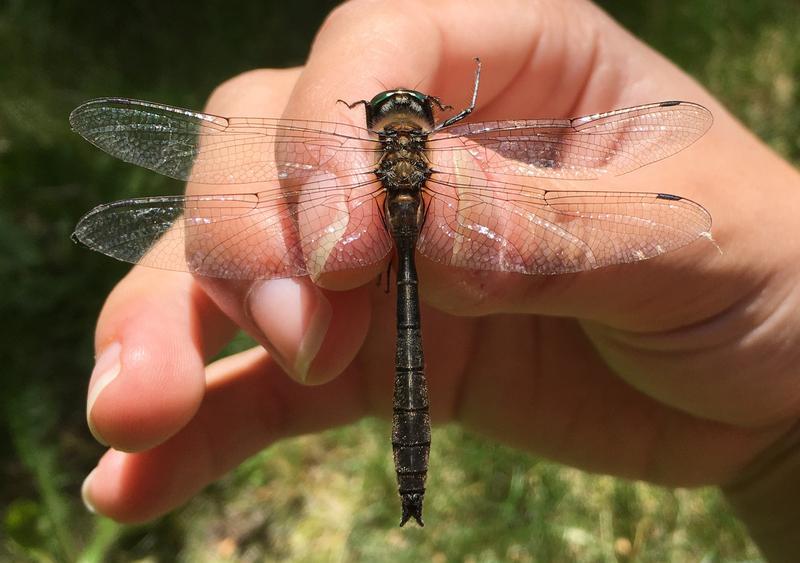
(249, 404)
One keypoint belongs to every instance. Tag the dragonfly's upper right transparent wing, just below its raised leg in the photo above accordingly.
(593, 146)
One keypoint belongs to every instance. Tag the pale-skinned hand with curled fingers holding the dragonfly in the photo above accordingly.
(678, 370)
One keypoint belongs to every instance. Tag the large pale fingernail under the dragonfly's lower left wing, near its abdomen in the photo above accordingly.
(294, 316)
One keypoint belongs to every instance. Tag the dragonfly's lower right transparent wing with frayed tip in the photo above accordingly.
(490, 225)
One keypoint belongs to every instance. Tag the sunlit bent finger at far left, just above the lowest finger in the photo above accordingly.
(153, 336)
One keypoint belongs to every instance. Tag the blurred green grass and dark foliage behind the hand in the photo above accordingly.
(316, 498)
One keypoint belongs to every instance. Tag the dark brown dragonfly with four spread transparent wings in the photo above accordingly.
(323, 197)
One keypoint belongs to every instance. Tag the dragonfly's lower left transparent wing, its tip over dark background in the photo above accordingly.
(325, 226)
